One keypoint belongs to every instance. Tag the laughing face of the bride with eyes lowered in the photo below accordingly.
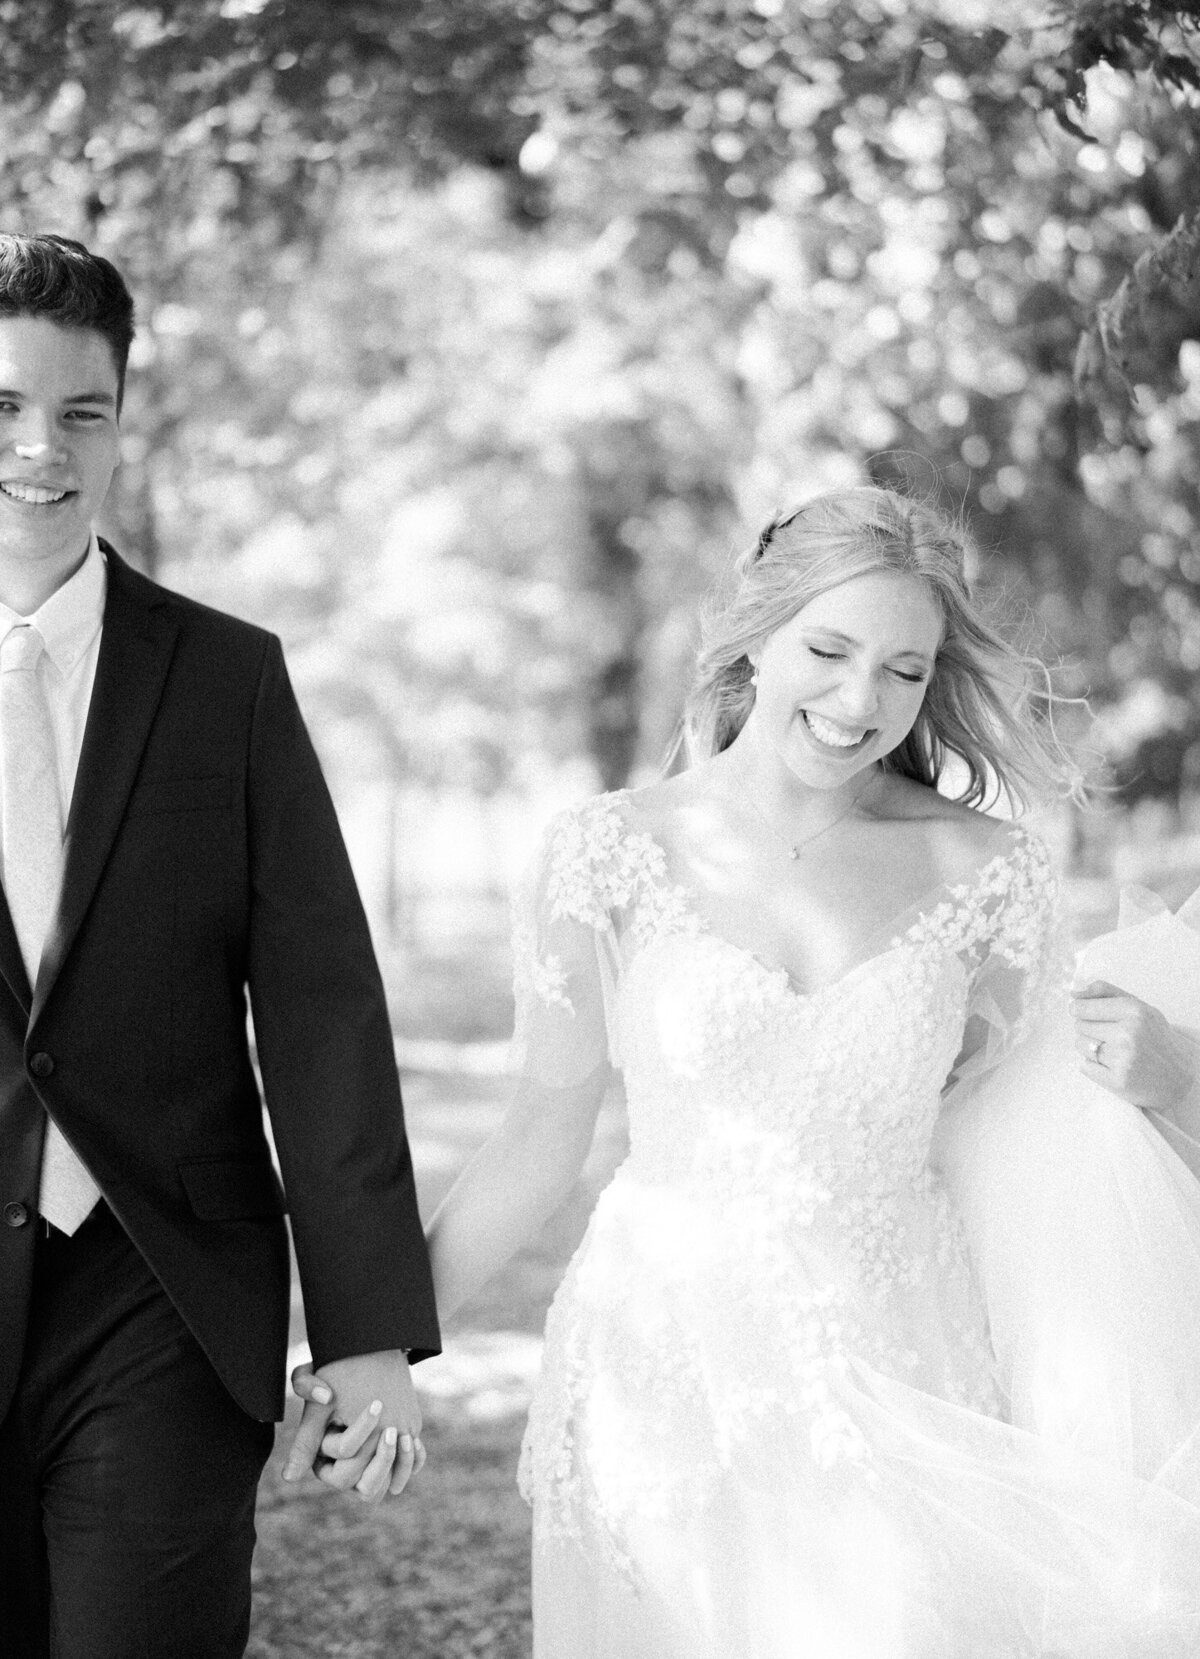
(844, 681)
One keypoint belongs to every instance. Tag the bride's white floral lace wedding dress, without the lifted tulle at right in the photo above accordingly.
(769, 1421)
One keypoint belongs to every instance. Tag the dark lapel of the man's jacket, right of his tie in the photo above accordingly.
(135, 654)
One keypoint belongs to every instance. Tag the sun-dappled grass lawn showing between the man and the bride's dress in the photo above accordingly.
(442, 1572)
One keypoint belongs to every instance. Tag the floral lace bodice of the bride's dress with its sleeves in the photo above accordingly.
(738, 1081)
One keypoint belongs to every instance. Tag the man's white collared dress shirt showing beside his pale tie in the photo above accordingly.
(71, 625)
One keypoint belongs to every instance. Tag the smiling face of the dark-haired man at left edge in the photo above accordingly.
(59, 442)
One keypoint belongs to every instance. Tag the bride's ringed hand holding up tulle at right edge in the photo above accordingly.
(1131, 1049)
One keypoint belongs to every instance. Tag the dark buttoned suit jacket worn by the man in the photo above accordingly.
(203, 860)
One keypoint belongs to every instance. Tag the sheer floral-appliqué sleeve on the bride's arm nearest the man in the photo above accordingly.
(565, 950)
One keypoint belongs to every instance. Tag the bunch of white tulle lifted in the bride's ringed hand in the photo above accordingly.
(1085, 1224)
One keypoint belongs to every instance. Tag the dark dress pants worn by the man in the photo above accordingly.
(127, 1471)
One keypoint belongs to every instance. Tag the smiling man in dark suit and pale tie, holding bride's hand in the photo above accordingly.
(168, 849)
